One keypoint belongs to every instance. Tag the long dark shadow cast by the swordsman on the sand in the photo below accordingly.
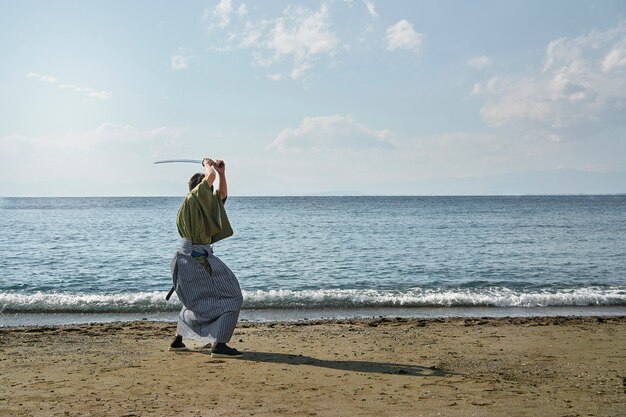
(344, 365)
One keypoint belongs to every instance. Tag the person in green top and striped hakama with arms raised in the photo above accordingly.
(207, 288)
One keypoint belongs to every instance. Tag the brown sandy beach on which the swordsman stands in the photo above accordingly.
(381, 367)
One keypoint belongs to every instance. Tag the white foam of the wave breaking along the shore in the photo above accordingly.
(327, 298)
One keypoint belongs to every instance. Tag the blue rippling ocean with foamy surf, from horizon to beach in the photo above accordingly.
(300, 258)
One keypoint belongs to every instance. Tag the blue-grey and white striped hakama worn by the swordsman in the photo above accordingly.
(209, 292)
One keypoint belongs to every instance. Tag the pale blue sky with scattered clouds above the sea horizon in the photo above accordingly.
(364, 97)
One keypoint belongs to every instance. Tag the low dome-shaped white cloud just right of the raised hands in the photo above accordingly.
(331, 132)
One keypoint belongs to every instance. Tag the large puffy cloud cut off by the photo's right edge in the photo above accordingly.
(578, 91)
